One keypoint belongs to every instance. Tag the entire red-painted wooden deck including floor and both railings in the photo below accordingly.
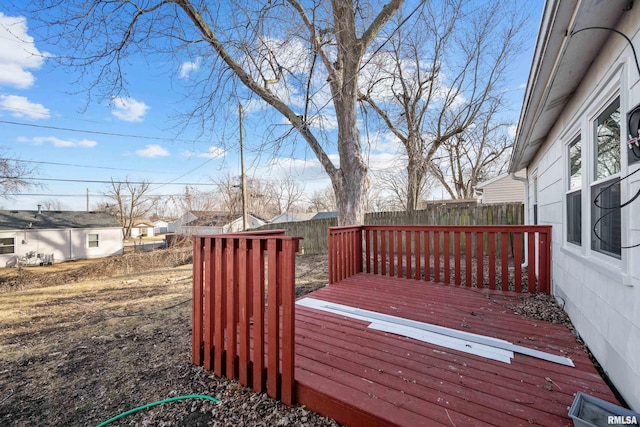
(248, 326)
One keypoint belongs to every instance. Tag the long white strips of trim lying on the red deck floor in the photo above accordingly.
(479, 345)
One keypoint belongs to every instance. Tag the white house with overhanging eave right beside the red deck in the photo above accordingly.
(572, 139)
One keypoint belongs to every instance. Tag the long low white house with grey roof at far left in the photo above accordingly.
(35, 236)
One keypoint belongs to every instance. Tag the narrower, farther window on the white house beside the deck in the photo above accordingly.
(574, 195)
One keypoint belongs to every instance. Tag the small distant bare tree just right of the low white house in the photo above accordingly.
(131, 202)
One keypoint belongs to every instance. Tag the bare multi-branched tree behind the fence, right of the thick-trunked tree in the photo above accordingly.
(438, 78)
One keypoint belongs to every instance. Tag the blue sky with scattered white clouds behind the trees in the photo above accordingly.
(43, 116)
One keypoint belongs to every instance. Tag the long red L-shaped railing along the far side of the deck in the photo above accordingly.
(511, 257)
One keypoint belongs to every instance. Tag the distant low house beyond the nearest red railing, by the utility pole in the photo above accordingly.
(214, 222)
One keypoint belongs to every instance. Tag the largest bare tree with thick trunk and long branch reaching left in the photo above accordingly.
(303, 59)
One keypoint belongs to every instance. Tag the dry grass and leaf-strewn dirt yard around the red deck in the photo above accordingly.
(81, 342)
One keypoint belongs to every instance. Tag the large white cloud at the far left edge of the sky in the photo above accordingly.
(18, 53)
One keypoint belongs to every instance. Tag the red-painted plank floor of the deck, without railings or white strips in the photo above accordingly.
(360, 376)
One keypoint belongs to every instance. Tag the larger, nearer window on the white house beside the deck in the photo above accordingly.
(605, 190)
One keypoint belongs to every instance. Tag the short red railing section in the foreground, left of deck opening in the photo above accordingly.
(244, 292)
